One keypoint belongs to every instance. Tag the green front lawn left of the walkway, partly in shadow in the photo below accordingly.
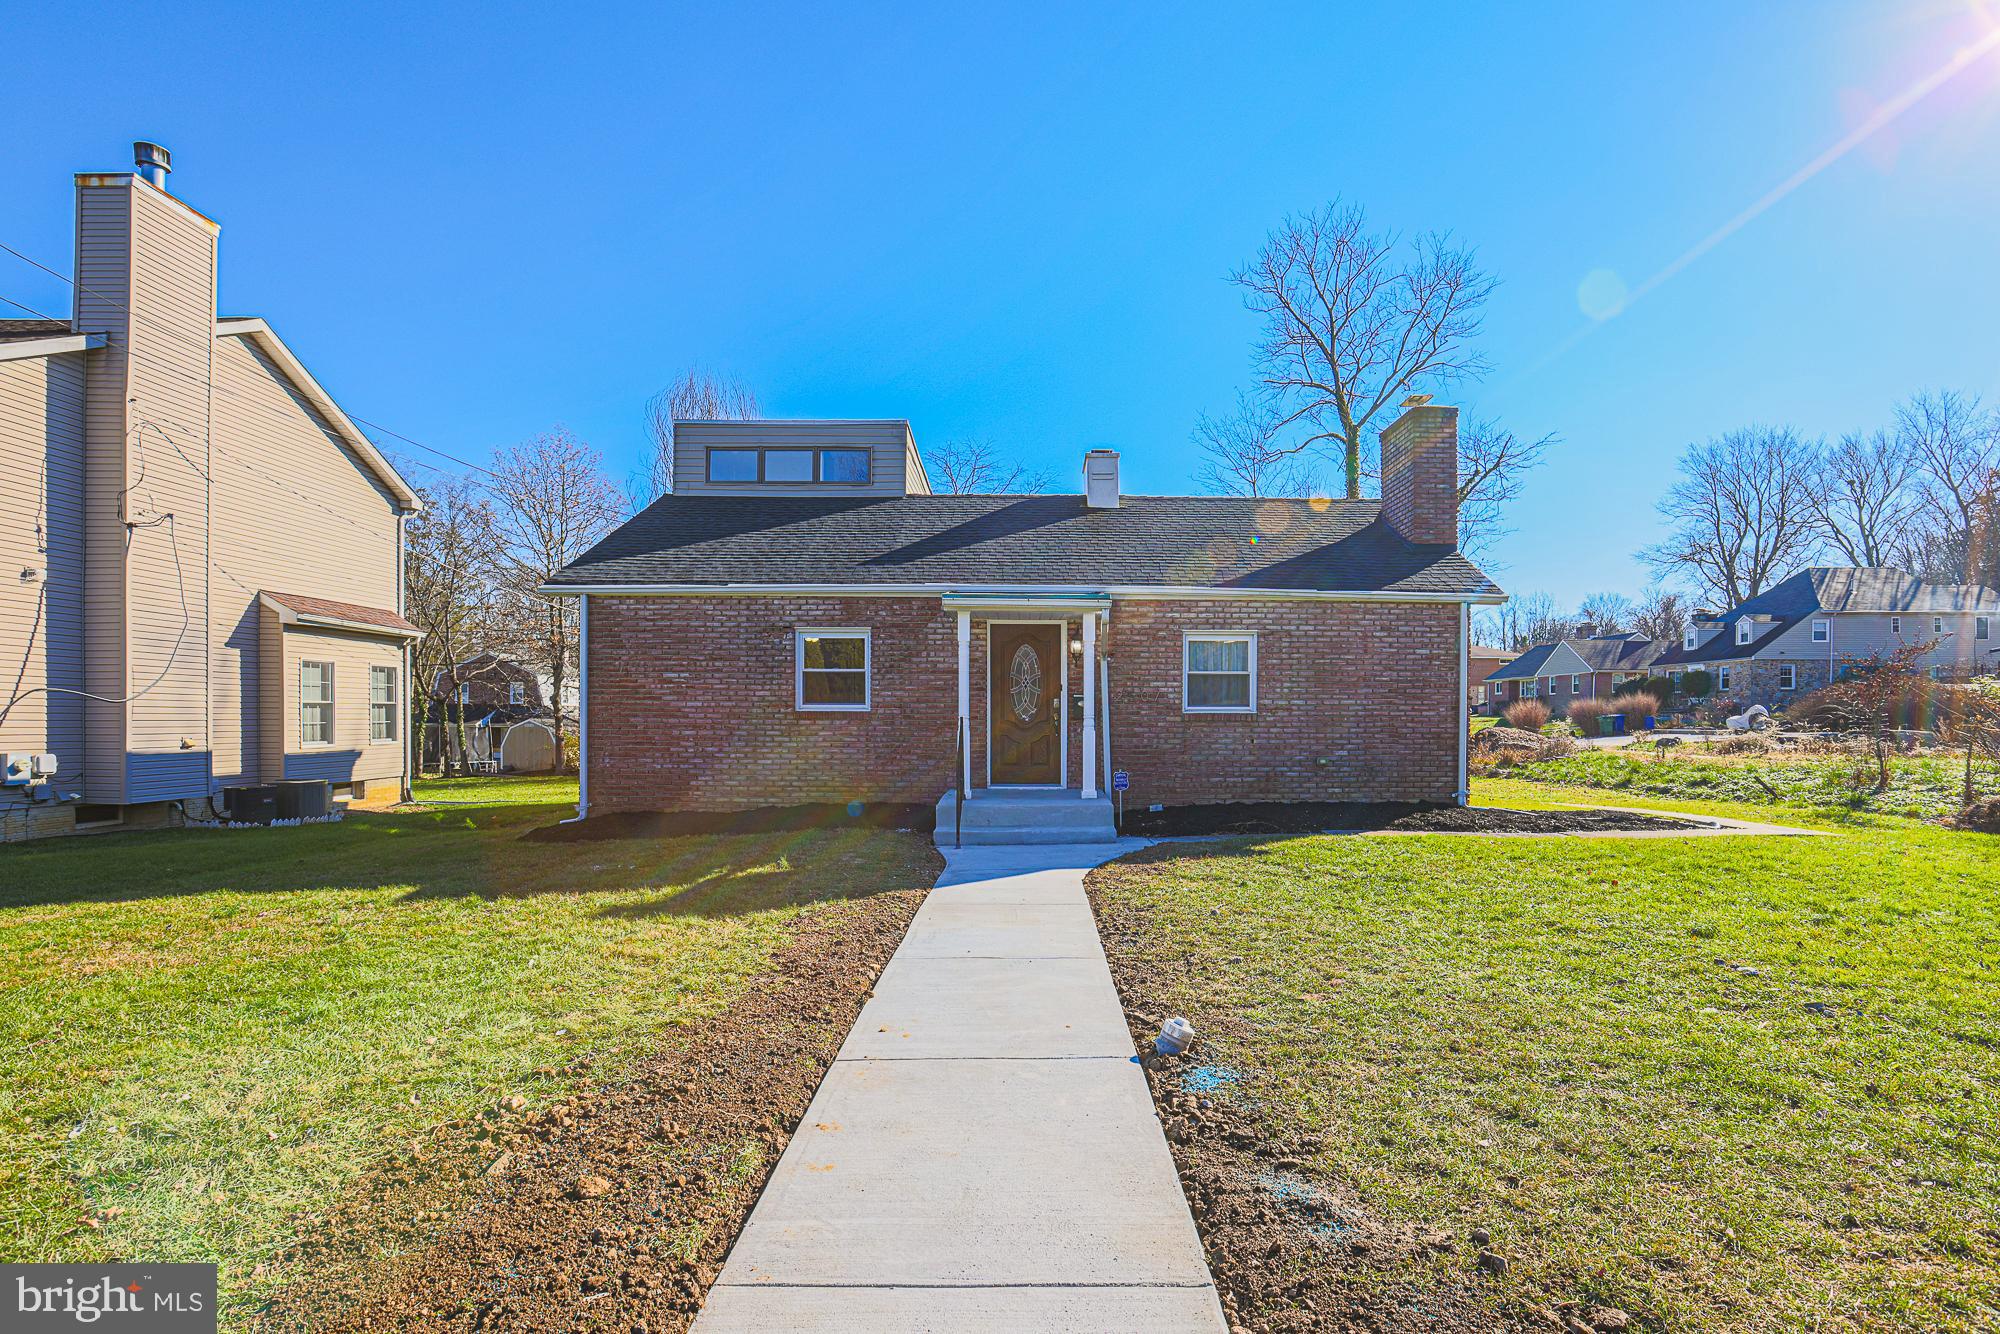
(211, 1031)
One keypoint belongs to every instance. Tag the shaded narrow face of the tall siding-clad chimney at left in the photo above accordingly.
(103, 275)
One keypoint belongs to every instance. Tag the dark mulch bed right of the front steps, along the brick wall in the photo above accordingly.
(1381, 817)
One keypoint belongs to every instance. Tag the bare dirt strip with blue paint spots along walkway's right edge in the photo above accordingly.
(1289, 1247)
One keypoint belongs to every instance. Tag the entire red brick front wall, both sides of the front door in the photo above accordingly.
(693, 705)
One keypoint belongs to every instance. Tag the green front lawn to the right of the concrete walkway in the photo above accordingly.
(1727, 1083)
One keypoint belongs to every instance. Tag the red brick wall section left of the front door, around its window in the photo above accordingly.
(693, 705)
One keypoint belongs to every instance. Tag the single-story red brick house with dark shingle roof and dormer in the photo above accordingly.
(803, 621)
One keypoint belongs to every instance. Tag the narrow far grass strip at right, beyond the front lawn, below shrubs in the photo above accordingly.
(1919, 787)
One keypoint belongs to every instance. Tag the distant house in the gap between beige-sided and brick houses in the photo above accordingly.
(499, 709)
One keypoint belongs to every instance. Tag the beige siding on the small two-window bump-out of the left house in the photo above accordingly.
(351, 753)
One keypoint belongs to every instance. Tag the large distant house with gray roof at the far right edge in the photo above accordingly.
(1795, 635)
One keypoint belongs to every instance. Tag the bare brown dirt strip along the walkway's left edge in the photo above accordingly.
(617, 1207)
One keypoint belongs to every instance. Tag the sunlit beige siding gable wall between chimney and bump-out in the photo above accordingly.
(295, 513)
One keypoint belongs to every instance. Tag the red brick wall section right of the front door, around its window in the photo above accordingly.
(1355, 701)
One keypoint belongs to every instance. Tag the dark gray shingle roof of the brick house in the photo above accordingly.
(1023, 541)
